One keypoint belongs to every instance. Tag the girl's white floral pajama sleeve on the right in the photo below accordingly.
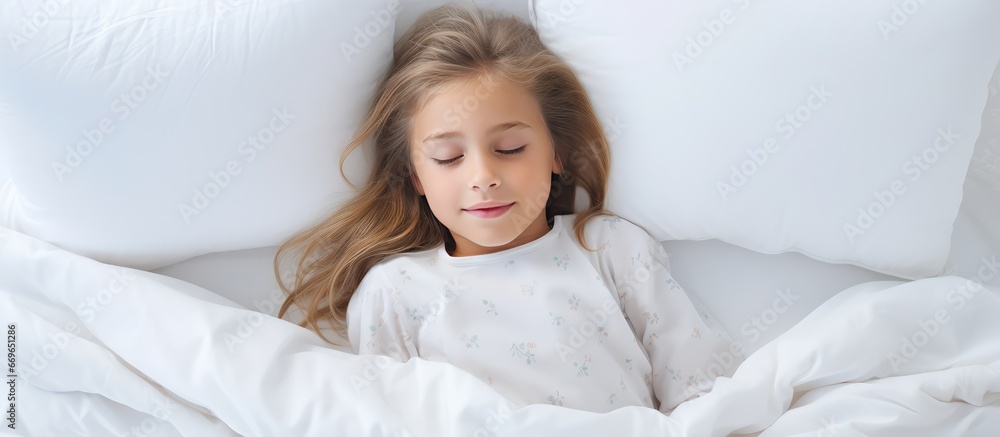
(688, 350)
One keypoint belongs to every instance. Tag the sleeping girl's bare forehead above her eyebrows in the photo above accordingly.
(471, 107)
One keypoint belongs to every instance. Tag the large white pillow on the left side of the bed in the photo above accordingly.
(144, 133)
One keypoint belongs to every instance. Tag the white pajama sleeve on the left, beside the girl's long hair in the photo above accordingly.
(373, 324)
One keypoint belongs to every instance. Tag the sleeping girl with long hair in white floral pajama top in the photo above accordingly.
(464, 246)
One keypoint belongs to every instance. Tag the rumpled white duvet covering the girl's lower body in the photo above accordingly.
(106, 350)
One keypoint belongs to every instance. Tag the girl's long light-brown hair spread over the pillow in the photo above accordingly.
(388, 216)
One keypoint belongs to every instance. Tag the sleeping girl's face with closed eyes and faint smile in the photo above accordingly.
(476, 143)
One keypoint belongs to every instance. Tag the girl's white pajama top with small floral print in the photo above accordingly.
(541, 324)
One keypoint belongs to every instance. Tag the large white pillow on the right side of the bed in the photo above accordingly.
(839, 130)
